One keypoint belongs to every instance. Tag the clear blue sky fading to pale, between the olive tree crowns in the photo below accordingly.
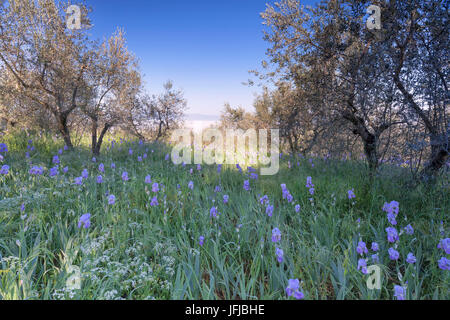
(206, 47)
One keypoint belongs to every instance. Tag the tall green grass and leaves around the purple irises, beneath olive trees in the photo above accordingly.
(135, 251)
